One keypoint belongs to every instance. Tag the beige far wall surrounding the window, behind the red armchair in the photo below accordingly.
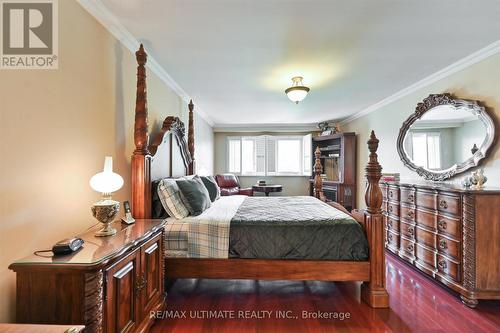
(292, 185)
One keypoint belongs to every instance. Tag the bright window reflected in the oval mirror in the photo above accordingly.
(426, 148)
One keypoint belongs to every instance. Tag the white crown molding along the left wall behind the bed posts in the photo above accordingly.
(113, 25)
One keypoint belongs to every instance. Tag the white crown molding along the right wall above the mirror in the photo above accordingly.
(463, 63)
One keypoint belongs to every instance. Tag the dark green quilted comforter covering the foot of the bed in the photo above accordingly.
(295, 228)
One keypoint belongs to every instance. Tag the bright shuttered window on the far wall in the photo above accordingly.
(268, 155)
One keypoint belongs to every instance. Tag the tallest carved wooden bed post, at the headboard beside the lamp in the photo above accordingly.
(141, 158)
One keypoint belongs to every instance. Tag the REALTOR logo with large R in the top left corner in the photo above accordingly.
(29, 34)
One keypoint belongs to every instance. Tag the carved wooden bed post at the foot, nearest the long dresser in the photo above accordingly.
(374, 292)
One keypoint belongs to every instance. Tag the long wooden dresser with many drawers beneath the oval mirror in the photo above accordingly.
(447, 232)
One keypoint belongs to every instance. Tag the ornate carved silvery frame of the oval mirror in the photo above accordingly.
(426, 105)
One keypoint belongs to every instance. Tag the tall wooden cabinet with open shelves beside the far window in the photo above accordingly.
(338, 159)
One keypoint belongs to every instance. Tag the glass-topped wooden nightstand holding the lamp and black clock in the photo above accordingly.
(110, 285)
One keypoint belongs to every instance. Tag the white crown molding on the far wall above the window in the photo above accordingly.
(252, 128)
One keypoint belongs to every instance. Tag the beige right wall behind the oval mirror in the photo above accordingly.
(479, 81)
